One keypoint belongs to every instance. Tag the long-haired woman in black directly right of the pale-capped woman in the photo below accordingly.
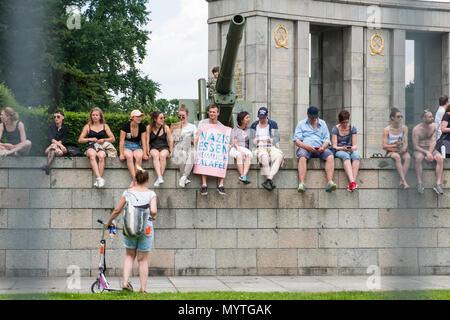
(160, 142)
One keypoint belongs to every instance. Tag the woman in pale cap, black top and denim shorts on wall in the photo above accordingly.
(132, 145)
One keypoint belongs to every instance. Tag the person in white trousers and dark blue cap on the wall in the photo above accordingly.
(264, 137)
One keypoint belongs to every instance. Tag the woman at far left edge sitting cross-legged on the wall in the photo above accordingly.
(14, 131)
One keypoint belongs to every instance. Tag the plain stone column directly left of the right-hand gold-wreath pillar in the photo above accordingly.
(354, 79)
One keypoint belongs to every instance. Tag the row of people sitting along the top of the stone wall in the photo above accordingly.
(259, 139)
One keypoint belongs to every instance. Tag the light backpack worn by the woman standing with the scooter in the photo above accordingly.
(134, 219)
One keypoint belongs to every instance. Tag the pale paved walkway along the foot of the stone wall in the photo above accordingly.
(235, 283)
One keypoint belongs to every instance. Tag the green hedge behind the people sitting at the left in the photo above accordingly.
(37, 120)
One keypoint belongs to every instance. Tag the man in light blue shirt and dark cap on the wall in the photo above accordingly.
(312, 139)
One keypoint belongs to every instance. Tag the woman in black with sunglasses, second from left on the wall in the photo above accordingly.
(57, 136)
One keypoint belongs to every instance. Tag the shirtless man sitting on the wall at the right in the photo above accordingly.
(424, 142)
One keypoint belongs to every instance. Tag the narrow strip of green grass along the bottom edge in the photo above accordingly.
(349, 295)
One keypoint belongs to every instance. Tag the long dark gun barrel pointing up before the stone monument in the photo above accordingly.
(226, 73)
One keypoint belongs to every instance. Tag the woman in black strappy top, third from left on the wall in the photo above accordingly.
(96, 131)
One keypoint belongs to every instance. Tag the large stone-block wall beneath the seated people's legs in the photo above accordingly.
(48, 223)
